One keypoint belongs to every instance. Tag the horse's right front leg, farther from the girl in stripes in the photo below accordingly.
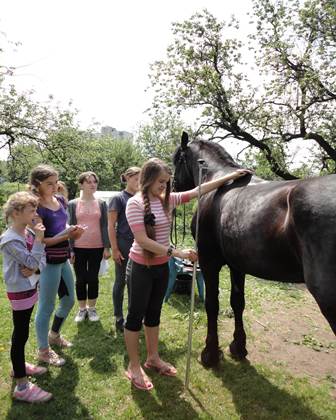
(237, 301)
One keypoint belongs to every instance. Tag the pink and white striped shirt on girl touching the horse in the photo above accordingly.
(135, 216)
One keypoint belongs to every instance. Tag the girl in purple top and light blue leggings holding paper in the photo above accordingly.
(57, 274)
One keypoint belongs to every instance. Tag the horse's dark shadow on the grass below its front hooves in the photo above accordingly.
(255, 397)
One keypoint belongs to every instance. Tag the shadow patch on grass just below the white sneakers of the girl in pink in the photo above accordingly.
(94, 343)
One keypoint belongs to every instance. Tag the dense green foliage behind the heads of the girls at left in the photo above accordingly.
(73, 151)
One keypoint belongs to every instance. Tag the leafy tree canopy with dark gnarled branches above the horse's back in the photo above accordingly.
(294, 48)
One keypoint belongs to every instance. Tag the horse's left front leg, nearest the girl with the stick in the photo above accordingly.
(211, 354)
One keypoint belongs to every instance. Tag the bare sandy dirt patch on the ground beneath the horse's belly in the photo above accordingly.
(296, 337)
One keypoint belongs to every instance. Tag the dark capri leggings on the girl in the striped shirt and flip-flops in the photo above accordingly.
(147, 287)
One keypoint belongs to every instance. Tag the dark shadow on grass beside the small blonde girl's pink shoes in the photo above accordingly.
(65, 403)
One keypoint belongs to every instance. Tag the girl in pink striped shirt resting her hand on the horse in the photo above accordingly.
(149, 215)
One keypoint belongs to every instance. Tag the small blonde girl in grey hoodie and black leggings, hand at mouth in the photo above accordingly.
(23, 254)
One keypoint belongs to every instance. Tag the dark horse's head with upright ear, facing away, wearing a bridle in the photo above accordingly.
(183, 163)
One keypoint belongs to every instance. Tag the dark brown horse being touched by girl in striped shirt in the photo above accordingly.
(276, 230)
